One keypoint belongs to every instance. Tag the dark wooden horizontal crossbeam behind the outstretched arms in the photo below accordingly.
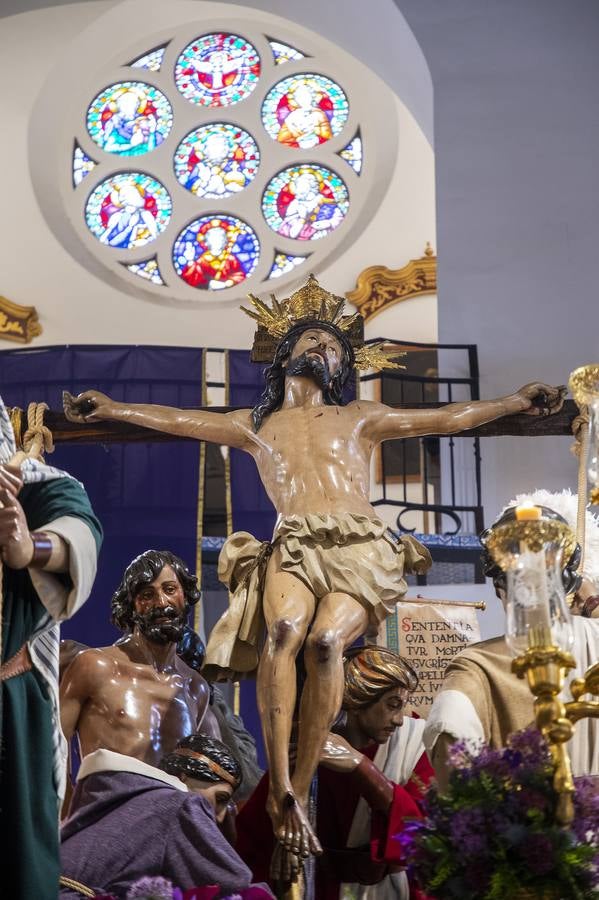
(64, 431)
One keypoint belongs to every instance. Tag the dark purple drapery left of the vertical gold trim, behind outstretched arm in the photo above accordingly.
(145, 495)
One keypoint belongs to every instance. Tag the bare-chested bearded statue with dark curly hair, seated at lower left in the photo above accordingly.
(138, 697)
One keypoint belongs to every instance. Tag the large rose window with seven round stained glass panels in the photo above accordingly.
(202, 168)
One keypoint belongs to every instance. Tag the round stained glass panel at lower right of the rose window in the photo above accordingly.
(305, 202)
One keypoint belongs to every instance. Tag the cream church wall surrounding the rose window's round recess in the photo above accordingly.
(78, 306)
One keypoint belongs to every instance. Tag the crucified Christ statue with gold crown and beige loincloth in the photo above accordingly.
(334, 568)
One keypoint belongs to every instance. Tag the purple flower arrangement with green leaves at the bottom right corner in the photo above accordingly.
(492, 834)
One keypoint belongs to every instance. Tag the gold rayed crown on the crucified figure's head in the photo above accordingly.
(312, 303)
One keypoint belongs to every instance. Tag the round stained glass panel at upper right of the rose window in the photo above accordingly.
(304, 111)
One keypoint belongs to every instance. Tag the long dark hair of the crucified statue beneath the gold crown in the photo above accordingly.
(274, 375)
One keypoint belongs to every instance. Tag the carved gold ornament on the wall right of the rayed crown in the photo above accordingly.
(379, 287)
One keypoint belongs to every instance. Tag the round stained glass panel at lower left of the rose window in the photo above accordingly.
(128, 210)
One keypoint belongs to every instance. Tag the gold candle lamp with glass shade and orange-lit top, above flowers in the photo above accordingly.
(531, 549)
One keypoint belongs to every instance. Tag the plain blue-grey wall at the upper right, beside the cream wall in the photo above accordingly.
(516, 137)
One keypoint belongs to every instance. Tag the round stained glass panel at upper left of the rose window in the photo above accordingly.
(129, 118)
